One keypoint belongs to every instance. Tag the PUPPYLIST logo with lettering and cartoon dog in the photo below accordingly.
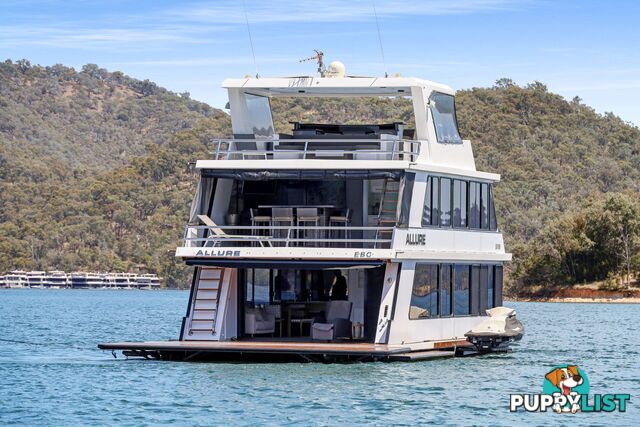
(566, 390)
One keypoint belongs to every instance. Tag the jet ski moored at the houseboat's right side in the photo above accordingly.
(496, 332)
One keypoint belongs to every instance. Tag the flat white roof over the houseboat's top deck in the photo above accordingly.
(330, 86)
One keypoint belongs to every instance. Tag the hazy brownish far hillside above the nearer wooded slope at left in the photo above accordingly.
(90, 118)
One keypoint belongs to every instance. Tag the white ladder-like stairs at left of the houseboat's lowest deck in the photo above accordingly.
(204, 306)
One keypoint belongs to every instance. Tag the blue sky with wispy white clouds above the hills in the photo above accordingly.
(589, 49)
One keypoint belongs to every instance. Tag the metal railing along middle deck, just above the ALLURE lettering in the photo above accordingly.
(288, 236)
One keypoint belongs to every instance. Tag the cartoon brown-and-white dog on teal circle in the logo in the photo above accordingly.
(569, 381)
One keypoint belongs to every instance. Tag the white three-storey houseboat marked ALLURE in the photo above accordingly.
(334, 241)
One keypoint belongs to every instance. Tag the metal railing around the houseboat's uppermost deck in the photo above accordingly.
(268, 149)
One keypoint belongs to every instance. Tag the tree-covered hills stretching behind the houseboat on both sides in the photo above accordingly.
(93, 166)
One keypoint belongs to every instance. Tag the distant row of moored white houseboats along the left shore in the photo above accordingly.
(78, 280)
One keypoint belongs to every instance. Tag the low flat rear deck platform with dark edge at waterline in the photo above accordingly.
(278, 351)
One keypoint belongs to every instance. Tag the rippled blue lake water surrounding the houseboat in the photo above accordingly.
(65, 380)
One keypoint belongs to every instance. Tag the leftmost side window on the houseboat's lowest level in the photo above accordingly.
(424, 297)
